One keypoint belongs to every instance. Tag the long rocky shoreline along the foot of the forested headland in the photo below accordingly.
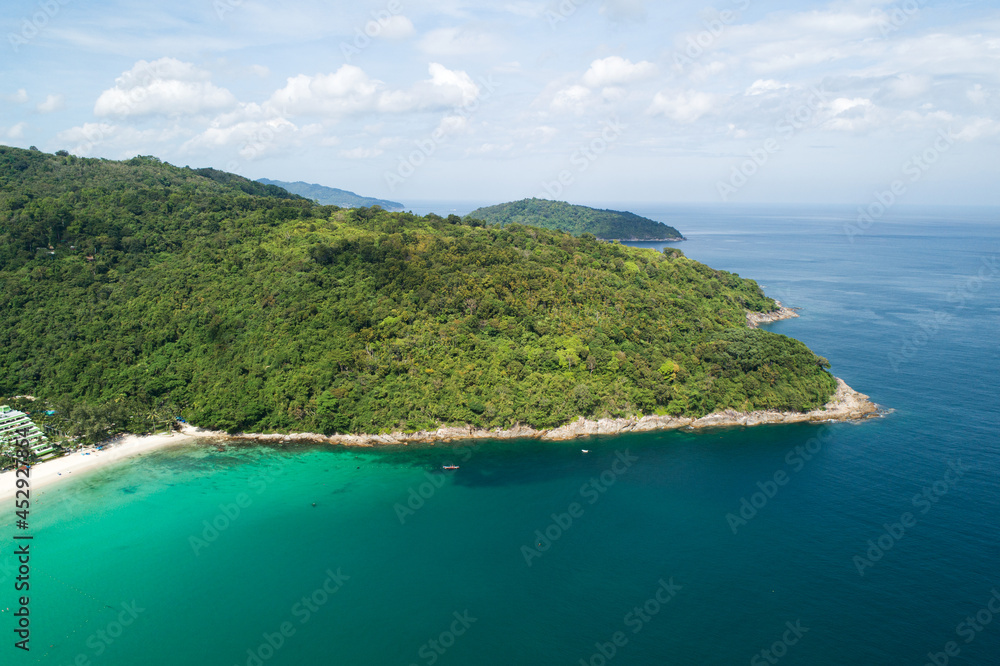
(845, 405)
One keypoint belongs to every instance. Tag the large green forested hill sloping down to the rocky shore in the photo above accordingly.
(136, 288)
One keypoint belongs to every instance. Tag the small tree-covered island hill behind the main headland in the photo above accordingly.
(577, 220)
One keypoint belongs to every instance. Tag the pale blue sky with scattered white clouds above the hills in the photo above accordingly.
(741, 101)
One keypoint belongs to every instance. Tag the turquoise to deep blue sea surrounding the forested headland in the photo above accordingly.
(908, 313)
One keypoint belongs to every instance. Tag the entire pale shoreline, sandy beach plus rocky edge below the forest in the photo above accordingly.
(846, 404)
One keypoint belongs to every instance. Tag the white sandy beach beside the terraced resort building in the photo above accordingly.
(80, 462)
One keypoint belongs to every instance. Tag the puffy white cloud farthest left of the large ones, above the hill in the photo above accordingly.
(166, 87)
